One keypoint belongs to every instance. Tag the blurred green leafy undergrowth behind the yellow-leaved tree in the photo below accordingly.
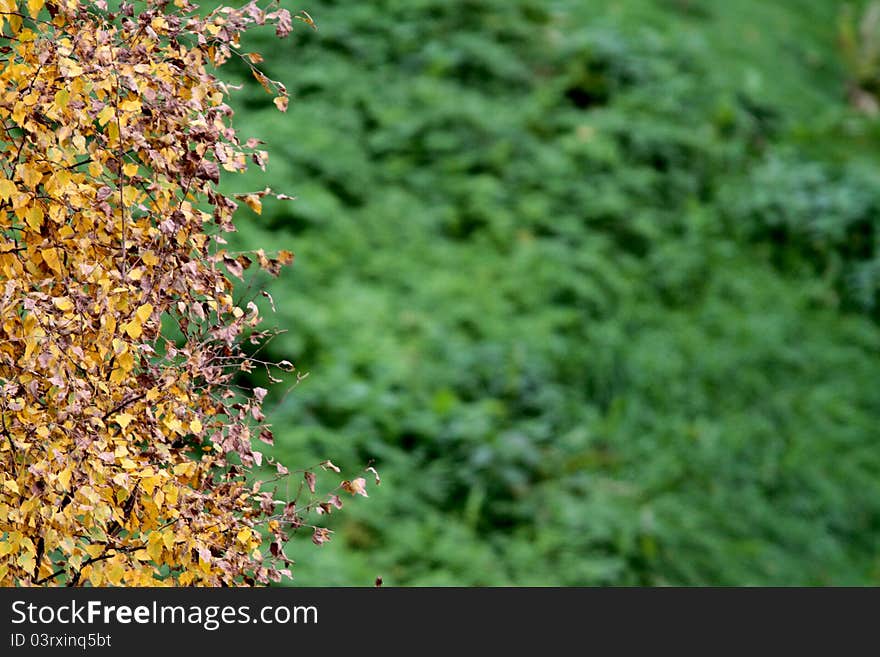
(594, 282)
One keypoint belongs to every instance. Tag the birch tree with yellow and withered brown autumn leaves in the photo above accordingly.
(126, 454)
